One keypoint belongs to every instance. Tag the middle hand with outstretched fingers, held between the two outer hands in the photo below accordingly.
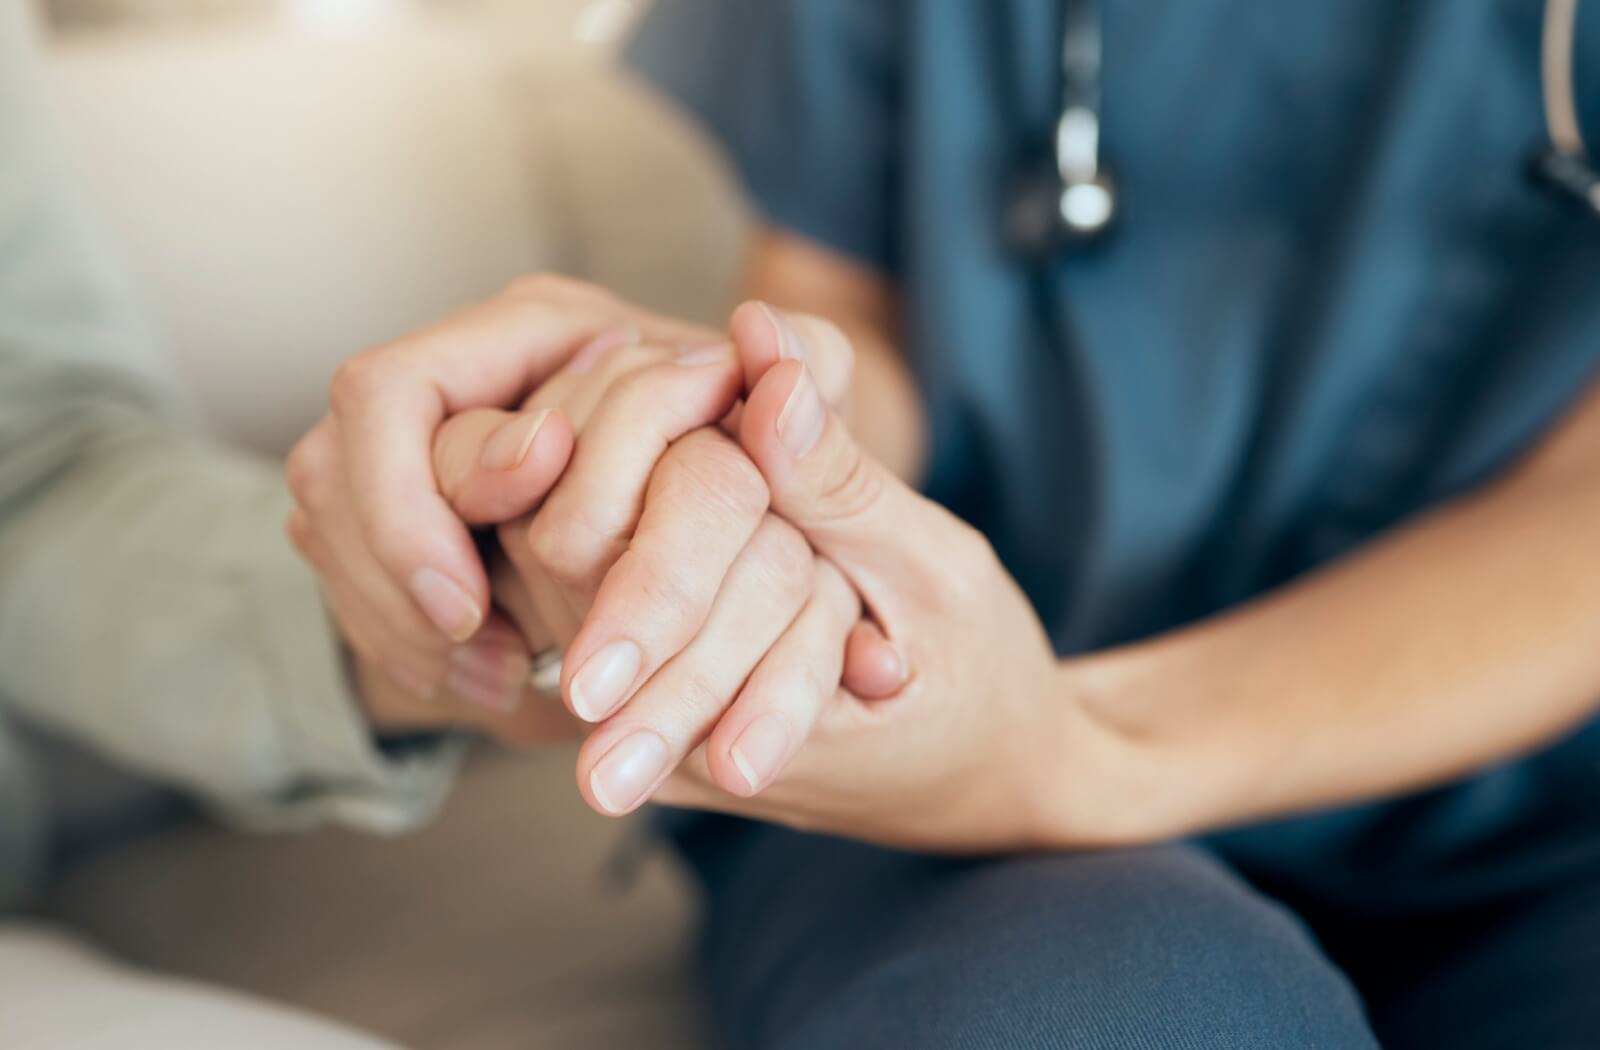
(705, 619)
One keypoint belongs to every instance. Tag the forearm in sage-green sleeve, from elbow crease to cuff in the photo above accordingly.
(154, 614)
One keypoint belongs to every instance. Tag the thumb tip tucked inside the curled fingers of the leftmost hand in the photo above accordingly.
(497, 467)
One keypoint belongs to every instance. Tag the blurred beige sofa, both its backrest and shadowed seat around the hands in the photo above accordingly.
(292, 182)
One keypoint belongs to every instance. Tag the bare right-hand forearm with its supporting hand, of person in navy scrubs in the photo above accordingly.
(1462, 641)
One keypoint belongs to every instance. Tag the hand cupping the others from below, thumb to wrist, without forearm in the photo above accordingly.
(974, 753)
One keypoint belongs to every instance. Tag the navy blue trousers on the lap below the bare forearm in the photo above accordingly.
(1463, 920)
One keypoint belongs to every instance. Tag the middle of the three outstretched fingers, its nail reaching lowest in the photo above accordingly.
(623, 763)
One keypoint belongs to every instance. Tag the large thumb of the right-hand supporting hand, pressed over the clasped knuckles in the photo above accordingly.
(900, 550)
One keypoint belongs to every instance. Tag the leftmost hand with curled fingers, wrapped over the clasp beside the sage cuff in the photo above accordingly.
(401, 571)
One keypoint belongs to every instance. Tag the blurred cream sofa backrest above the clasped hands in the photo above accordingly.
(297, 180)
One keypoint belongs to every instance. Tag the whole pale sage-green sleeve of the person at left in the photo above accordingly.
(150, 604)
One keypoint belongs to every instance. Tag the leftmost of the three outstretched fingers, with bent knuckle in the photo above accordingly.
(705, 505)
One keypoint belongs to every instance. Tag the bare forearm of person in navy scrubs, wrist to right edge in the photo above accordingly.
(1462, 641)
